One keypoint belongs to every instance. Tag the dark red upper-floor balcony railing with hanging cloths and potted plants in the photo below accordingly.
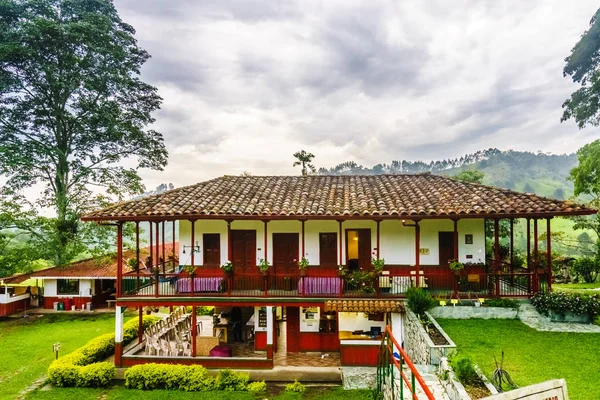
(392, 284)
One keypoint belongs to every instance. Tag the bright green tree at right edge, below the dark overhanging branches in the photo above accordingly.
(586, 180)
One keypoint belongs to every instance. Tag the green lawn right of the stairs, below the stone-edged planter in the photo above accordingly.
(531, 356)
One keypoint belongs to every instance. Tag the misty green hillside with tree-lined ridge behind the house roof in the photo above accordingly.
(543, 174)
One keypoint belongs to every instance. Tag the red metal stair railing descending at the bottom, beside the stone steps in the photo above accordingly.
(392, 377)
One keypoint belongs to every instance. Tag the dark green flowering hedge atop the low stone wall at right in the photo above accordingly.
(561, 302)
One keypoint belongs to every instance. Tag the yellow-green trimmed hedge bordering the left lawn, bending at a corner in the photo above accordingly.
(83, 367)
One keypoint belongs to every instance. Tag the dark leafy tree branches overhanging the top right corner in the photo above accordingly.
(583, 66)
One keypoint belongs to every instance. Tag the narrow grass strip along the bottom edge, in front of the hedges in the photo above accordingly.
(119, 392)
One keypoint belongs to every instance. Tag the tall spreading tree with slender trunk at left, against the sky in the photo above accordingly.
(72, 107)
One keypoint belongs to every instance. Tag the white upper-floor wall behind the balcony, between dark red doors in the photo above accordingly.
(397, 242)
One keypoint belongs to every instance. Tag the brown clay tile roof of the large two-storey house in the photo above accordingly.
(322, 196)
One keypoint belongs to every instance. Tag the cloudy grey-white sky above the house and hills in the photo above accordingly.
(247, 83)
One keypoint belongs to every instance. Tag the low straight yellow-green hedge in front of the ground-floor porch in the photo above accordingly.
(193, 378)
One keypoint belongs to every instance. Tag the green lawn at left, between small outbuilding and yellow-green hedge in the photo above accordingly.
(27, 345)
